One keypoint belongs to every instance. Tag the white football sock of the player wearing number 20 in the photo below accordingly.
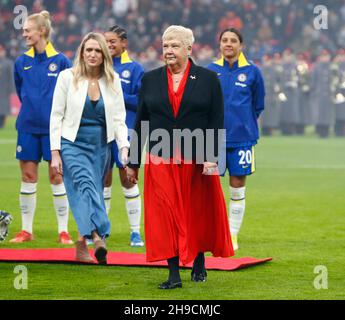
(236, 208)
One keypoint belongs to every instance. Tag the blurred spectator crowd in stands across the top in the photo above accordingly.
(268, 26)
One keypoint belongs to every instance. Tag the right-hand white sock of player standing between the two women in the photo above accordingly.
(133, 207)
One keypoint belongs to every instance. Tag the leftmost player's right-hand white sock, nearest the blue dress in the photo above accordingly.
(61, 206)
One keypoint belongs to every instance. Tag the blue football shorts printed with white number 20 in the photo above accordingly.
(239, 161)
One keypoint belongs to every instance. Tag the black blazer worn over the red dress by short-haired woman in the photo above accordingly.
(201, 108)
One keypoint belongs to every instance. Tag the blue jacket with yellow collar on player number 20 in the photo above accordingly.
(244, 94)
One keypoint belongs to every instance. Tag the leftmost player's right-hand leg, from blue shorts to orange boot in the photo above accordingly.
(60, 199)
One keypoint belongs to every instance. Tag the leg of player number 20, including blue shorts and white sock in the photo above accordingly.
(242, 163)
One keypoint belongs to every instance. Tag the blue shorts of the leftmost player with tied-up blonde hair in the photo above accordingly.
(33, 147)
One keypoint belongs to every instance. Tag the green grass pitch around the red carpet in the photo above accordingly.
(294, 213)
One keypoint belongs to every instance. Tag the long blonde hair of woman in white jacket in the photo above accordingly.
(79, 66)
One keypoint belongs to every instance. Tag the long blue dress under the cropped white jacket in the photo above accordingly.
(85, 163)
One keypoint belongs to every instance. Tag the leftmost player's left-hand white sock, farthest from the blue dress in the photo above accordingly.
(27, 202)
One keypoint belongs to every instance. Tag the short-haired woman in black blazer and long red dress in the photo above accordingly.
(181, 112)
